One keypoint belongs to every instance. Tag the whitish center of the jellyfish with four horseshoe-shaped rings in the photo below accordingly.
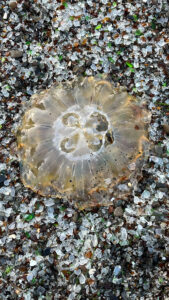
(81, 132)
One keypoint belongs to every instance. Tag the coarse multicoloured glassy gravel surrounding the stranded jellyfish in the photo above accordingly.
(48, 249)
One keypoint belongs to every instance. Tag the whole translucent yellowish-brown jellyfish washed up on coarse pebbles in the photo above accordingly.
(84, 141)
